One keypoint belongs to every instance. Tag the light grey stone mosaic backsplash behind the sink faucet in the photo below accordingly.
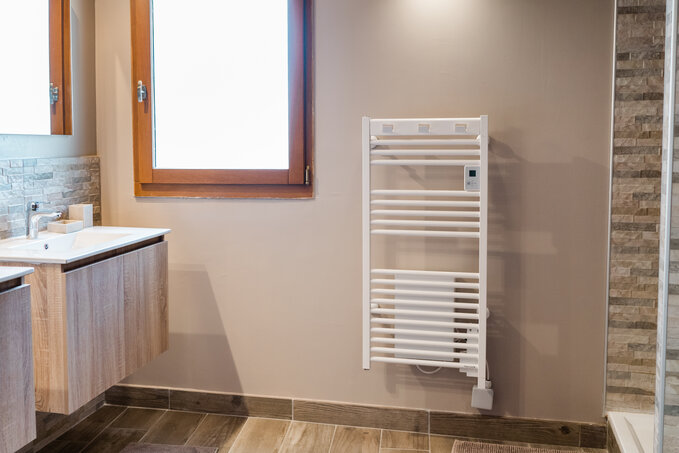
(57, 182)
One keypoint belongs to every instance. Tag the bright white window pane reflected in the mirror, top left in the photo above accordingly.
(24, 58)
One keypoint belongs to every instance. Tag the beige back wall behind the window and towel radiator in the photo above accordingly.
(265, 295)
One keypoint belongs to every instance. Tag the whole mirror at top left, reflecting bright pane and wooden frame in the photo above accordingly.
(35, 80)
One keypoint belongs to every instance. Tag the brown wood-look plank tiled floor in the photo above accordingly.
(114, 428)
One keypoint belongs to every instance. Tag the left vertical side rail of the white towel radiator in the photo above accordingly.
(365, 194)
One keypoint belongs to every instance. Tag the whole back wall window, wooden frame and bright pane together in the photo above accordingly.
(223, 95)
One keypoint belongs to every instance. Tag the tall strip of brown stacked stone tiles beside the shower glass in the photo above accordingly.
(635, 211)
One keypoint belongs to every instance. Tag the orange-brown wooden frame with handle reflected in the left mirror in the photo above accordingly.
(61, 116)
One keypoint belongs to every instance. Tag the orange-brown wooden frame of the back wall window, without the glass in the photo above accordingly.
(296, 182)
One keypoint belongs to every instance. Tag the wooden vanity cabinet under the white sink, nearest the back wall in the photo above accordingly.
(96, 321)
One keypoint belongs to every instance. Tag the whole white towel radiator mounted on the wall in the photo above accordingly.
(424, 317)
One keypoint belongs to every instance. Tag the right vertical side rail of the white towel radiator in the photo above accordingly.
(483, 254)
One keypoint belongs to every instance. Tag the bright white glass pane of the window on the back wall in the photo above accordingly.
(221, 84)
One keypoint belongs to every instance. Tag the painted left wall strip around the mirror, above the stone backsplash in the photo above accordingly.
(83, 140)
